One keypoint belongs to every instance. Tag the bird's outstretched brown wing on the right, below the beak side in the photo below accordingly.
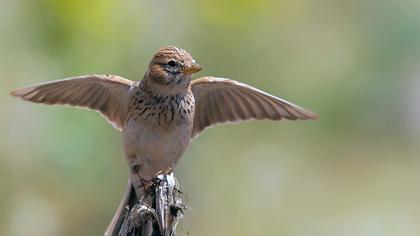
(220, 100)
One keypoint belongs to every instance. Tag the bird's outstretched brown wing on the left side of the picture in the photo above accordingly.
(108, 94)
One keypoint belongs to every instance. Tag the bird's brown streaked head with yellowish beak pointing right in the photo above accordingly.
(172, 68)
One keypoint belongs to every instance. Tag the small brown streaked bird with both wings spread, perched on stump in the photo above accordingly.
(162, 113)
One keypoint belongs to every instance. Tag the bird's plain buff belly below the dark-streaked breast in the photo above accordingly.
(150, 149)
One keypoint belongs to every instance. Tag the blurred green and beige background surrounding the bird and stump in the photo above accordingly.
(356, 64)
